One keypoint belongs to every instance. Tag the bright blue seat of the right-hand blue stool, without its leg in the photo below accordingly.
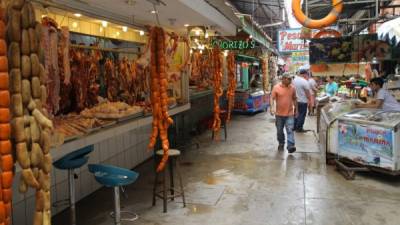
(112, 176)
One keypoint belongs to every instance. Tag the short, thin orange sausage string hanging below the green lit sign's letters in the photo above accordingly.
(231, 84)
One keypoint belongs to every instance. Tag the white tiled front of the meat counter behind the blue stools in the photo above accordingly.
(123, 144)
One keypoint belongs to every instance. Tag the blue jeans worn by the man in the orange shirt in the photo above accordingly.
(288, 123)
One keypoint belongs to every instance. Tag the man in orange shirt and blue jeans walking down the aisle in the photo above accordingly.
(283, 106)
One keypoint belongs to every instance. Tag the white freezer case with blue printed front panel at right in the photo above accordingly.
(370, 138)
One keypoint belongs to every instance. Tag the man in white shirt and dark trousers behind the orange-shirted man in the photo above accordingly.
(303, 96)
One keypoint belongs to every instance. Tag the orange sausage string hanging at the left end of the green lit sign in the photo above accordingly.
(217, 73)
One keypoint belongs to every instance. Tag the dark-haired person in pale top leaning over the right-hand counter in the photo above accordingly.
(384, 100)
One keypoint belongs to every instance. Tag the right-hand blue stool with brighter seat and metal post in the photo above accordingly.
(116, 177)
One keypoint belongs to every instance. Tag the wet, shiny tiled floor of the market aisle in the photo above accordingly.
(245, 180)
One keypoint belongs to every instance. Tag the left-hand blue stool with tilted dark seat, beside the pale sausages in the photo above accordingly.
(71, 162)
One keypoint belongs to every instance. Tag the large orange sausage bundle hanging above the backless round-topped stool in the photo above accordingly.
(159, 97)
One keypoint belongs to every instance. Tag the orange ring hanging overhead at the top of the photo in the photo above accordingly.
(324, 22)
